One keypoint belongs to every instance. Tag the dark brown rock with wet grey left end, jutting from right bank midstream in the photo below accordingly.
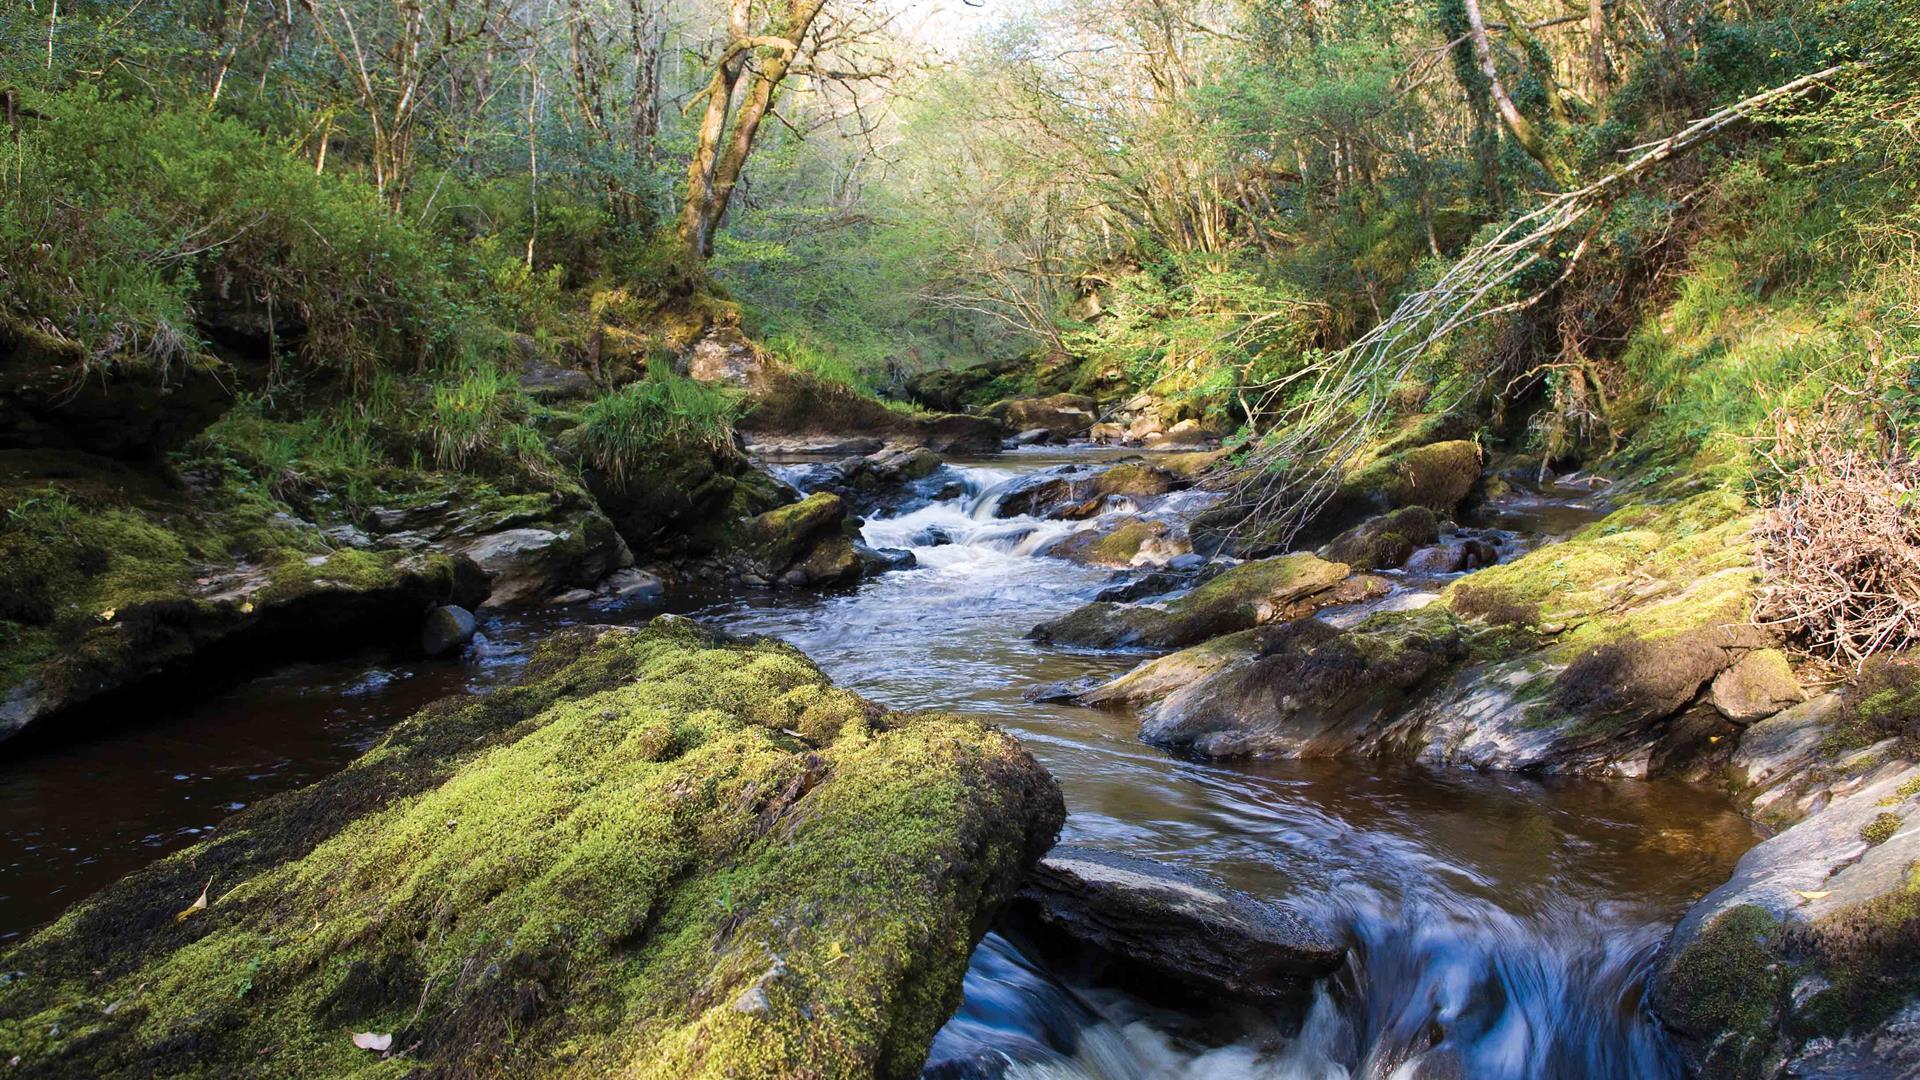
(1310, 689)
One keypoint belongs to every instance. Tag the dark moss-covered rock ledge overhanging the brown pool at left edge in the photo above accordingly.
(114, 576)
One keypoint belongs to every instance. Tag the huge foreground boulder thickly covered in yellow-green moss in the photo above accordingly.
(658, 856)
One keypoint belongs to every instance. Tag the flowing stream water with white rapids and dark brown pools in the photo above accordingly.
(1502, 927)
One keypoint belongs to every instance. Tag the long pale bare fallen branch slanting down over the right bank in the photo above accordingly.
(1328, 410)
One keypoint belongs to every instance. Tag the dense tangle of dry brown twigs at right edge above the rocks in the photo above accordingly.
(1840, 554)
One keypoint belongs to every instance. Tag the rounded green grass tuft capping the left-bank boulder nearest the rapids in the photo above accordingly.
(660, 412)
